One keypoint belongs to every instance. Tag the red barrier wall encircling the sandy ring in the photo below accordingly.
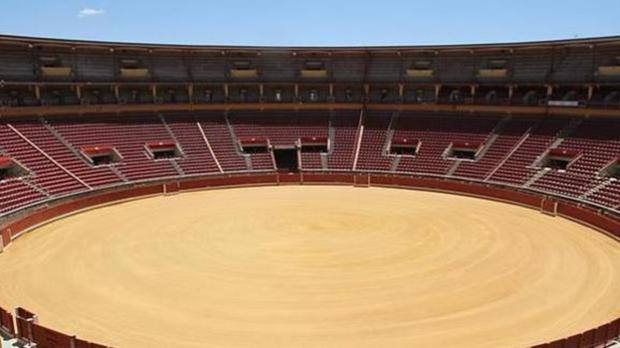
(568, 209)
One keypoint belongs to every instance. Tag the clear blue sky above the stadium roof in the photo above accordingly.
(311, 22)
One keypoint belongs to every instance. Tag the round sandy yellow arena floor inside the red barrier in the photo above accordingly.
(314, 267)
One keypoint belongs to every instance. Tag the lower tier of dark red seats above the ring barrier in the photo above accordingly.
(49, 148)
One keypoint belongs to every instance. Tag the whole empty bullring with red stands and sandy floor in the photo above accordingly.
(205, 196)
